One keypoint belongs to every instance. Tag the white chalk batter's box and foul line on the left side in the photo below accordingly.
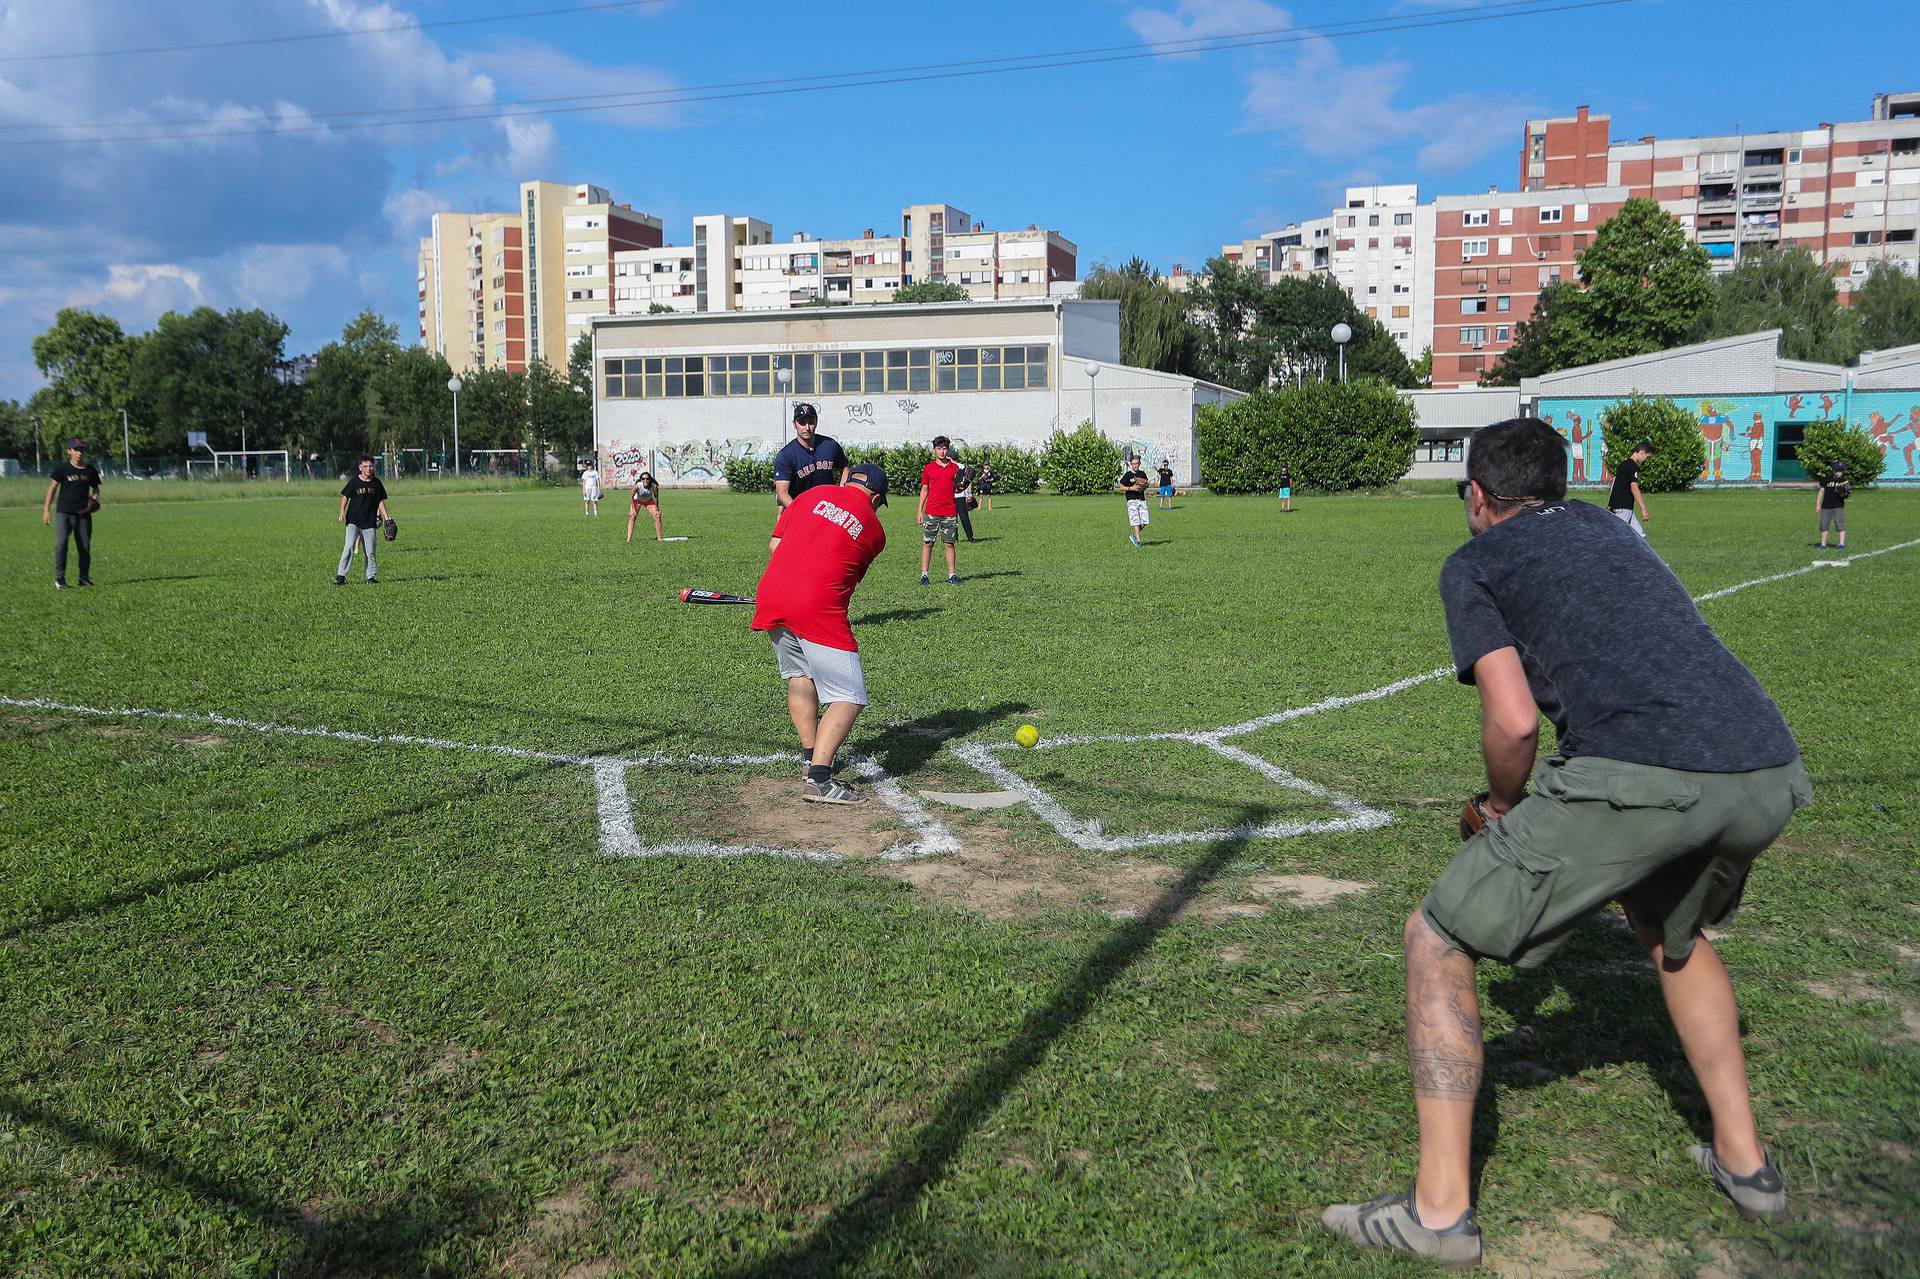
(615, 806)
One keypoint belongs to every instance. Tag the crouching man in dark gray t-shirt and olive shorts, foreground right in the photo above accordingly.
(1671, 773)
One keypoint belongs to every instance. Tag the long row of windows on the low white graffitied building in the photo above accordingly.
(828, 374)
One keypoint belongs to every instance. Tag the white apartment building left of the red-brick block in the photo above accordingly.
(1383, 243)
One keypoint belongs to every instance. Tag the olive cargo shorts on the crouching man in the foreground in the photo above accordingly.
(1673, 846)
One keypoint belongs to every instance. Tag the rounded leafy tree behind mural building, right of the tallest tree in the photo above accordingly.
(1788, 291)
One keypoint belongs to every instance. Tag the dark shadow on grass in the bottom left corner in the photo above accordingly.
(389, 1240)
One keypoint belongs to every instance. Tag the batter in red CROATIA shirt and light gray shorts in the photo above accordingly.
(821, 550)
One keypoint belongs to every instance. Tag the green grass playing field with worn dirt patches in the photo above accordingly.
(318, 1005)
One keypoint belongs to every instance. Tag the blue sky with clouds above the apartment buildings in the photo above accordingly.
(1163, 158)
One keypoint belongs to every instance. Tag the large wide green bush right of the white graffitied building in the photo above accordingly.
(1332, 437)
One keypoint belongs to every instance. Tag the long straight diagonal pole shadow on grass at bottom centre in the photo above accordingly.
(924, 1157)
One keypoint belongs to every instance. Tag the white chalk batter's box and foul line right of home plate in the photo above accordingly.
(1090, 834)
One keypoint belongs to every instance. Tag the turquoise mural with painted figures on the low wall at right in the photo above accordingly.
(1742, 433)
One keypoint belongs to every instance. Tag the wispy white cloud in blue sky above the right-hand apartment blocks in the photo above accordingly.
(1353, 110)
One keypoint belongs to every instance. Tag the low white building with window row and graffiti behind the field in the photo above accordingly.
(684, 395)
